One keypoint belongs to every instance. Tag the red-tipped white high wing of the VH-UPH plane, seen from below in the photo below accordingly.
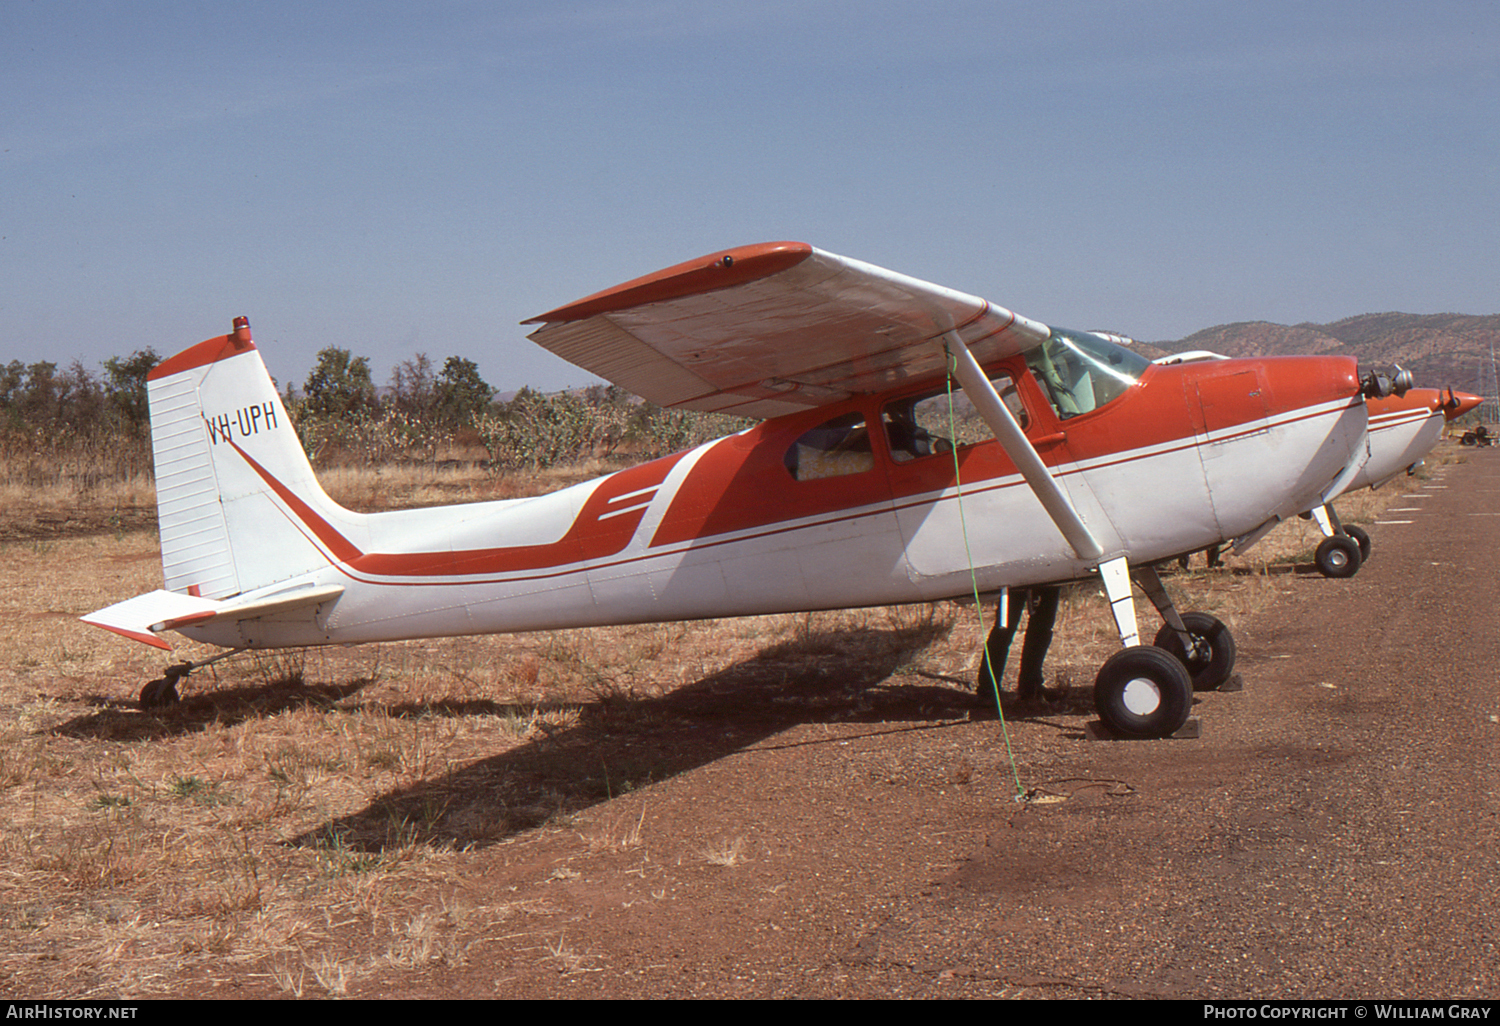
(772, 329)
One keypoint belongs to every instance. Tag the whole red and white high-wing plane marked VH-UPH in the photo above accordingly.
(1096, 464)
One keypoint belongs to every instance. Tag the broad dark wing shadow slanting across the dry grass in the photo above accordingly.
(623, 742)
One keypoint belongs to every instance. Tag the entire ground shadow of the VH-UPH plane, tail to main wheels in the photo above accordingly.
(620, 742)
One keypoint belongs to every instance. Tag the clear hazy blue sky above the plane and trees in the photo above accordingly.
(403, 178)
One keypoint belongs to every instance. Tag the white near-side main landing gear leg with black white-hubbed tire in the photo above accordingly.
(1142, 691)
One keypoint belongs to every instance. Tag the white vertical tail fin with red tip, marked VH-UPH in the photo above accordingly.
(238, 502)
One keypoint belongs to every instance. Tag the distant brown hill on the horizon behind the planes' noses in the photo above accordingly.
(1442, 350)
